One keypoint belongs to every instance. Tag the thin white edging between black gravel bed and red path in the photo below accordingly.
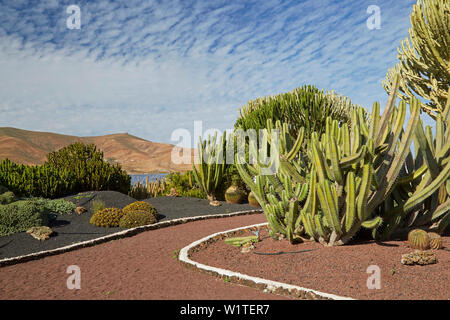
(118, 235)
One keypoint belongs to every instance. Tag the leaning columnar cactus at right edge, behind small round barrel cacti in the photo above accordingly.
(422, 192)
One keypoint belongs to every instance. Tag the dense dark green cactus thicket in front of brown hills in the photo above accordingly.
(72, 169)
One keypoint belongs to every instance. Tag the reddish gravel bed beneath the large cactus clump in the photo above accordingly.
(340, 270)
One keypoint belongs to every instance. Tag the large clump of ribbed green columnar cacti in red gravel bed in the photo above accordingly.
(348, 177)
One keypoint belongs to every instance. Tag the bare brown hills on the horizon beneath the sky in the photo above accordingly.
(134, 154)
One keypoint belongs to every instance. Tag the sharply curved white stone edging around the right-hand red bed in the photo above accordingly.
(243, 279)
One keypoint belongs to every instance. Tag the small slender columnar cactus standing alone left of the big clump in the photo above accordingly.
(211, 164)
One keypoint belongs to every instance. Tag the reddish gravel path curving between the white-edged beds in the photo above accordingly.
(141, 267)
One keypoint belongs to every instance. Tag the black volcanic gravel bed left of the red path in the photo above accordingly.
(74, 228)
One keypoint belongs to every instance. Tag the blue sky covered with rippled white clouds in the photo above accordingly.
(151, 67)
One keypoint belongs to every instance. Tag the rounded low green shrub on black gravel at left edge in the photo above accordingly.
(19, 216)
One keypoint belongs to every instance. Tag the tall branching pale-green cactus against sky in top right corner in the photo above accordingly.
(425, 61)
